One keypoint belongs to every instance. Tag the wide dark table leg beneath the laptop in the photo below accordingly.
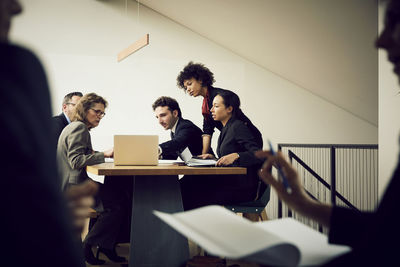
(154, 243)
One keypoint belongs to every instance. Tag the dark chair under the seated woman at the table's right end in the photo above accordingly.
(254, 210)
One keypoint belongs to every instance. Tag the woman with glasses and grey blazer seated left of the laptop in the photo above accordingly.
(74, 153)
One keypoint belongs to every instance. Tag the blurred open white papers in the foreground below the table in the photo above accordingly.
(282, 242)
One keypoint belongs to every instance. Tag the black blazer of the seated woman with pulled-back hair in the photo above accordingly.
(236, 137)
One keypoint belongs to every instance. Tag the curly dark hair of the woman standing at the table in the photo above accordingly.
(197, 71)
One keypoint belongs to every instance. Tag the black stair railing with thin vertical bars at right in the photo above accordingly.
(353, 175)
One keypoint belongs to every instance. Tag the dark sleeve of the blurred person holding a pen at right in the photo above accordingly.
(373, 236)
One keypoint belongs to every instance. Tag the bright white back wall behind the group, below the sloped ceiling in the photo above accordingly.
(78, 41)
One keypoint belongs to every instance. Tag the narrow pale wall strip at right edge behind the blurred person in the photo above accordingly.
(389, 110)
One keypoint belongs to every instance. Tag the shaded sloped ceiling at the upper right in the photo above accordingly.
(323, 46)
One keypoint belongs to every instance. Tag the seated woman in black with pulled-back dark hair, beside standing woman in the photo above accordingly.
(236, 147)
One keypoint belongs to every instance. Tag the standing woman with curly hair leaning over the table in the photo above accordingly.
(197, 80)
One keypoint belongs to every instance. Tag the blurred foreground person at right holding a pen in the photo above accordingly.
(373, 236)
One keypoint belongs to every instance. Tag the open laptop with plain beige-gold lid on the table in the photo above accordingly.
(136, 150)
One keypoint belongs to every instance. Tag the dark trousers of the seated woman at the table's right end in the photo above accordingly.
(202, 190)
